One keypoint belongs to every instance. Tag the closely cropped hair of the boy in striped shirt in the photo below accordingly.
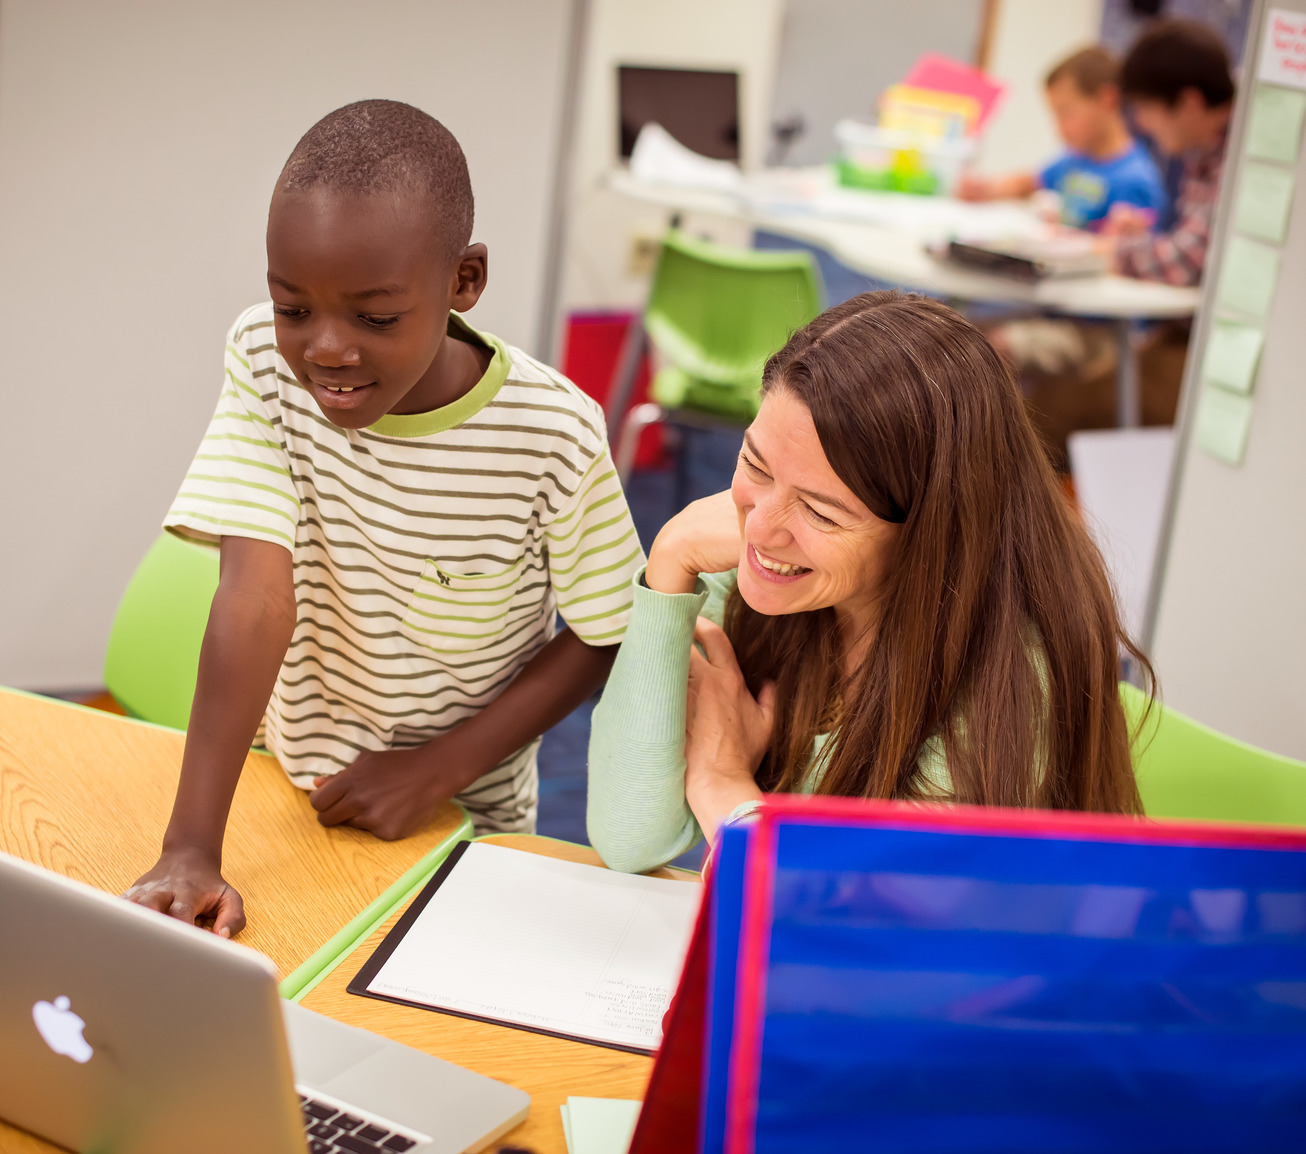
(387, 147)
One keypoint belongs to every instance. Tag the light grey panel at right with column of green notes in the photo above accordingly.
(1230, 606)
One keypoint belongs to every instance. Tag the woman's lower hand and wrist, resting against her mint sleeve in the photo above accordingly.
(728, 732)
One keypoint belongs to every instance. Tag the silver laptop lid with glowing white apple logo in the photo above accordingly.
(123, 1031)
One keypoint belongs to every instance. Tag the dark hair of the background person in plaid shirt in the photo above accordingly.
(1175, 55)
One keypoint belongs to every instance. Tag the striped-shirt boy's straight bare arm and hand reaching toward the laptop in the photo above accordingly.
(250, 629)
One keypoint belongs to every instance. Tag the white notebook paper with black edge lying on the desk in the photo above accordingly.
(531, 942)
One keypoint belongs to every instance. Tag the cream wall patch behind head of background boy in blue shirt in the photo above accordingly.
(1028, 39)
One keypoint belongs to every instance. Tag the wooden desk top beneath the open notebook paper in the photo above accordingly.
(548, 1068)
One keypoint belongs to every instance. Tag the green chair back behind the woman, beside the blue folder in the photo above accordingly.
(1187, 770)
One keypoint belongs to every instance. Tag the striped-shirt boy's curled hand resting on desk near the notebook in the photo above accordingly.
(394, 793)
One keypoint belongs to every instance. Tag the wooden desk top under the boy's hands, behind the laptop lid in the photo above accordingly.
(88, 796)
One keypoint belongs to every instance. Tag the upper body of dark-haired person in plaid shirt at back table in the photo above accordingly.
(1180, 87)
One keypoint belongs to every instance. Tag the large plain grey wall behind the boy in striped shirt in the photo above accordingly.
(139, 146)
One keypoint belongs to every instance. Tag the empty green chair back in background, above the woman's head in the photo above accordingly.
(718, 314)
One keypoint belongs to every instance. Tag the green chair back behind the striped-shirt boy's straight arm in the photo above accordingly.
(155, 646)
